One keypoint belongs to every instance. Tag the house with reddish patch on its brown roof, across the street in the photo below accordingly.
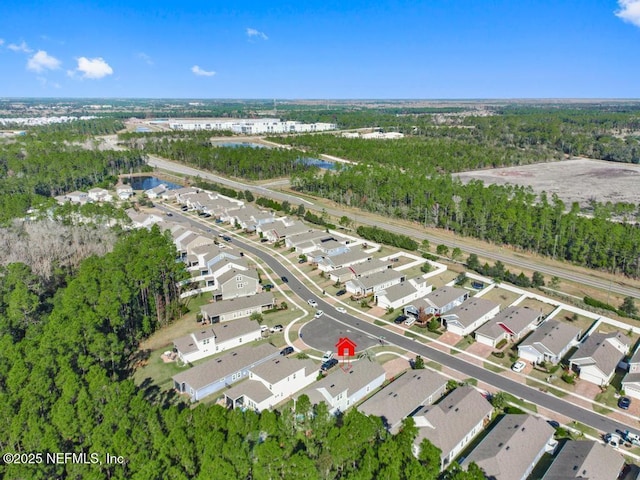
(511, 324)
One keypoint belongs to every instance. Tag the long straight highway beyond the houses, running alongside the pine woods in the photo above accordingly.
(507, 258)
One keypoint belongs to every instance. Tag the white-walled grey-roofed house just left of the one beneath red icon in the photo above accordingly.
(271, 382)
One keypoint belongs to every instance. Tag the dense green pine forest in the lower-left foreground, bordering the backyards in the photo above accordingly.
(67, 352)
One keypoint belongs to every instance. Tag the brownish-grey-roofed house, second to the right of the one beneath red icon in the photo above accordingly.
(453, 422)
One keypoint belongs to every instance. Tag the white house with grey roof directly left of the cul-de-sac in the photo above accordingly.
(216, 338)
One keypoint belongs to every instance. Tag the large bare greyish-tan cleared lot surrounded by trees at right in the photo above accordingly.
(576, 180)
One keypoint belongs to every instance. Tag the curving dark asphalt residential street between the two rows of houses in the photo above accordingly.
(529, 394)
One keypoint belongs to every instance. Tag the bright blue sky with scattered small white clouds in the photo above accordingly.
(330, 49)
